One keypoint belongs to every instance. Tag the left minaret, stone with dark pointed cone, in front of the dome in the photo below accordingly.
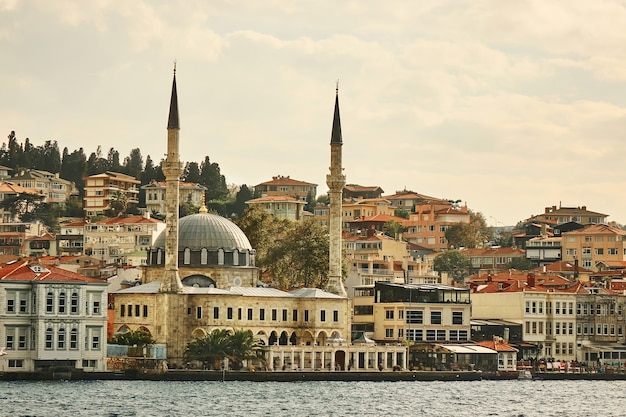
(172, 169)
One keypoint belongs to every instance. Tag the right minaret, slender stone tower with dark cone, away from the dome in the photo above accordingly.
(335, 181)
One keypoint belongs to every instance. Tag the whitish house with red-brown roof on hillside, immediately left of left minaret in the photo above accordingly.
(112, 239)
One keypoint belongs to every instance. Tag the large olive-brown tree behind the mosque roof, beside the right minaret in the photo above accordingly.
(301, 257)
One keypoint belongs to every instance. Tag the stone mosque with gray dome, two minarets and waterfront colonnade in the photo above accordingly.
(201, 276)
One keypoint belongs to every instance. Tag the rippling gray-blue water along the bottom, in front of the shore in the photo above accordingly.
(199, 398)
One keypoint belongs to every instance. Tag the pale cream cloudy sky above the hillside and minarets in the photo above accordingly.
(508, 105)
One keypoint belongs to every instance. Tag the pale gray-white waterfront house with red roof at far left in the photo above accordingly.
(51, 318)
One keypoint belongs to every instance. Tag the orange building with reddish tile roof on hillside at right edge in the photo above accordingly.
(593, 244)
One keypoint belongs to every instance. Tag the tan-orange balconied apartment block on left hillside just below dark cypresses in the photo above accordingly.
(101, 189)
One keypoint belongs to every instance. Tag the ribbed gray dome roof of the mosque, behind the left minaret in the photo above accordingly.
(206, 230)
